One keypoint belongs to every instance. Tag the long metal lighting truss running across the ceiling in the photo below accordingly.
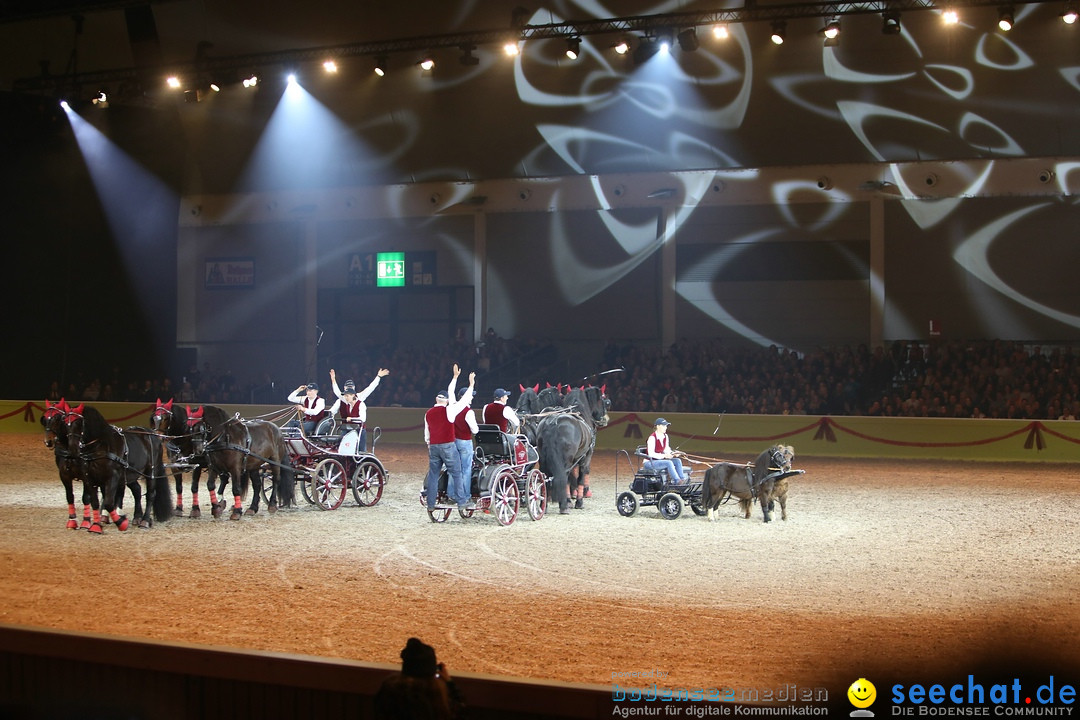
(643, 25)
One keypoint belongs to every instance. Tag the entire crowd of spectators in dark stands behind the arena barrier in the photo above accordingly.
(940, 379)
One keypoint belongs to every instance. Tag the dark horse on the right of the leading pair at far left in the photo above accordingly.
(110, 459)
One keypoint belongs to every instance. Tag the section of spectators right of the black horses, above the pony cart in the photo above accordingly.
(946, 379)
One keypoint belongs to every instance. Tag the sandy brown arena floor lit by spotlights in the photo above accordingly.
(906, 567)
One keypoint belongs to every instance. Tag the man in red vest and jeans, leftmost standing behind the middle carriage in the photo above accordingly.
(439, 436)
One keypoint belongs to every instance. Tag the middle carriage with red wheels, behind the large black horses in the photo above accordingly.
(505, 477)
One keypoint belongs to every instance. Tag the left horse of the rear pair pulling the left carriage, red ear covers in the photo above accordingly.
(174, 425)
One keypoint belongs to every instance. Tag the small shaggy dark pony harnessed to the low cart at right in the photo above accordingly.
(765, 480)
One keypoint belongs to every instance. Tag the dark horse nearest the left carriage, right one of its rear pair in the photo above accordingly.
(240, 450)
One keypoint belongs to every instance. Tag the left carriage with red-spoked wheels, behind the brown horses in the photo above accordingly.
(329, 465)
